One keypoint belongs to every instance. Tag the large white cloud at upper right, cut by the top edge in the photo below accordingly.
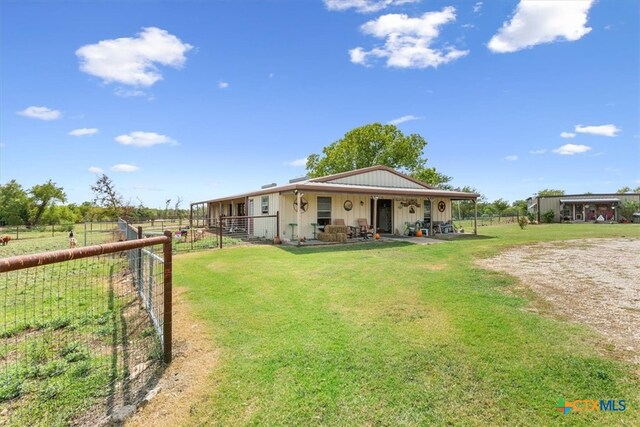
(542, 21)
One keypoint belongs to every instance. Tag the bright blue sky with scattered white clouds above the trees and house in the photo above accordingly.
(206, 99)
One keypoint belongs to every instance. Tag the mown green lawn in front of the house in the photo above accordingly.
(394, 334)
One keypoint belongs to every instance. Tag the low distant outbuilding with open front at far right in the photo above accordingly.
(581, 207)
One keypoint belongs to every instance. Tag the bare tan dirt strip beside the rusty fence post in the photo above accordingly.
(185, 383)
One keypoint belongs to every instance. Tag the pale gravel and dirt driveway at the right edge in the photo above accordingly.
(592, 281)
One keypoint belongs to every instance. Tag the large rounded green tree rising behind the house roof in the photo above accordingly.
(375, 144)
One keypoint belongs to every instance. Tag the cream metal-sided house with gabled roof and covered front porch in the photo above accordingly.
(385, 197)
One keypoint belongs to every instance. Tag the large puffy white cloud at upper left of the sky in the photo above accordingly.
(132, 60)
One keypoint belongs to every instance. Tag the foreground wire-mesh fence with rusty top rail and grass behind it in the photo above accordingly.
(84, 332)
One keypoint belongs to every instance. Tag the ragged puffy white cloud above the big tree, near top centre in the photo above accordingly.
(408, 41)
